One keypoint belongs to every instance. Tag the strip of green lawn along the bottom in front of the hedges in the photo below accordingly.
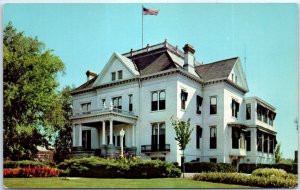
(111, 183)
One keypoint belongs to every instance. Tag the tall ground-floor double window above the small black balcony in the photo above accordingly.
(158, 139)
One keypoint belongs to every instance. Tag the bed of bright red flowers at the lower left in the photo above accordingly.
(35, 171)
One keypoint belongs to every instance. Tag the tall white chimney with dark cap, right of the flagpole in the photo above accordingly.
(189, 59)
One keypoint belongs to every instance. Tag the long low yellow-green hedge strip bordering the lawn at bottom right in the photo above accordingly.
(249, 180)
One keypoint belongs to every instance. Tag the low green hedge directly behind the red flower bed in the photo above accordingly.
(27, 163)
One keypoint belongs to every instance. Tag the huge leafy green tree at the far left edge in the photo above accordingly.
(31, 101)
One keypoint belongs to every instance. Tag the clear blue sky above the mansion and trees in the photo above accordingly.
(85, 35)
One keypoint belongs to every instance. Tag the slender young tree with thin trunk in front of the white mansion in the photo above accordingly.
(183, 135)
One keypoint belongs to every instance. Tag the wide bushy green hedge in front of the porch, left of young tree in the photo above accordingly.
(118, 168)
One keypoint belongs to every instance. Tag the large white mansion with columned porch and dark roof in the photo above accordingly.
(141, 90)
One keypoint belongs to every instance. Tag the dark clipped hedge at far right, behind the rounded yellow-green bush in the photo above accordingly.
(249, 168)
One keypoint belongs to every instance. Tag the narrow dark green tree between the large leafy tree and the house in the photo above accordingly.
(64, 138)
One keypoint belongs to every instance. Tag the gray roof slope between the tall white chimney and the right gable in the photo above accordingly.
(216, 70)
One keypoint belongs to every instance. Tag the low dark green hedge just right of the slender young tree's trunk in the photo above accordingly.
(198, 167)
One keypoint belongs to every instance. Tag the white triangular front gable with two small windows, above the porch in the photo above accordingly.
(116, 63)
